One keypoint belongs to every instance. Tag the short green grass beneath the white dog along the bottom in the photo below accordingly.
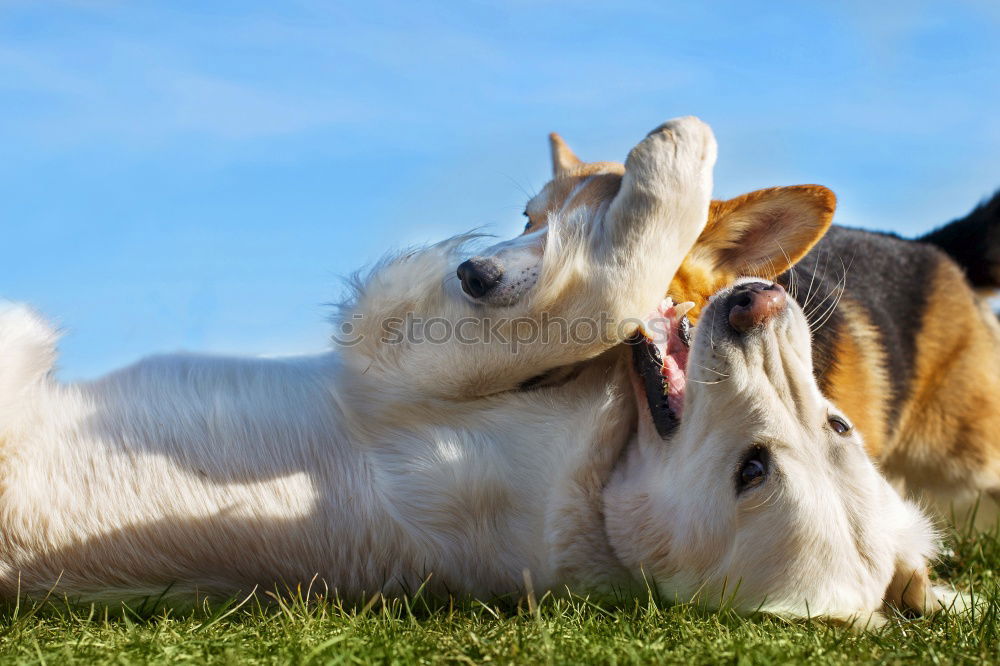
(565, 630)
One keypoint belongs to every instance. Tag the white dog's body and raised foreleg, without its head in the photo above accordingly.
(372, 466)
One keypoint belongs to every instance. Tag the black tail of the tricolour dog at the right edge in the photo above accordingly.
(974, 243)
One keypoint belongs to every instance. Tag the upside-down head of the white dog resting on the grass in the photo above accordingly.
(824, 535)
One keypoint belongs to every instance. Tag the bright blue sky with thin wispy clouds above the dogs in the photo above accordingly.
(195, 175)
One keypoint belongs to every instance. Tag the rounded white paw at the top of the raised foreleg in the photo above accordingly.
(680, 152)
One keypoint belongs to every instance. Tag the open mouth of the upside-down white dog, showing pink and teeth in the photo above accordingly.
(660, 354)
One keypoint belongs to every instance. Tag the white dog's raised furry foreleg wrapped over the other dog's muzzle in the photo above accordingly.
(603, 268)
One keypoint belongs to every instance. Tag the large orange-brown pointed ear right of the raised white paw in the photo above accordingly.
(765, 232)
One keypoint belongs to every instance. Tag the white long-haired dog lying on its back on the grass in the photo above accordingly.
(396, 461)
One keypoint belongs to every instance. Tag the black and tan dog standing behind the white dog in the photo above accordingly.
(902, 342)
